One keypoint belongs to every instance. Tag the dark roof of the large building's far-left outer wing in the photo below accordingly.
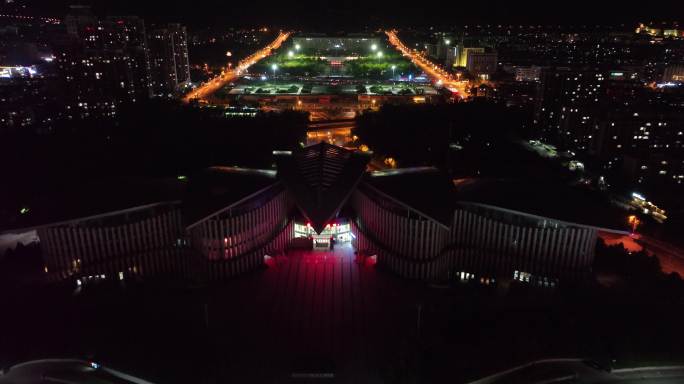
(80, 201)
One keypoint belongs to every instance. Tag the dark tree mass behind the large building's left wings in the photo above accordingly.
(154, 139)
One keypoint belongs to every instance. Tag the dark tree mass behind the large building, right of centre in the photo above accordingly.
(467, 139)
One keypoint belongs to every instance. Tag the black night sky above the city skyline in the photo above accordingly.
(347, 14)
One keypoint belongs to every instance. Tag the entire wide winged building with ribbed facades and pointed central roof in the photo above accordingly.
(416, 223)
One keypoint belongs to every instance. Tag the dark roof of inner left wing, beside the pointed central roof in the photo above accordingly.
(218, 188)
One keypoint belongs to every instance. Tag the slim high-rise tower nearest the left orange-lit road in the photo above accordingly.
(169, 65)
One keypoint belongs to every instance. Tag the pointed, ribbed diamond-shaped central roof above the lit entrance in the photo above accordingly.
(321, 178)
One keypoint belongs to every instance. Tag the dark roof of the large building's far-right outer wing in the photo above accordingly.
(554, 201)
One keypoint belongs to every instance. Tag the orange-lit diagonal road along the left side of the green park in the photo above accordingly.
(229, 74)
